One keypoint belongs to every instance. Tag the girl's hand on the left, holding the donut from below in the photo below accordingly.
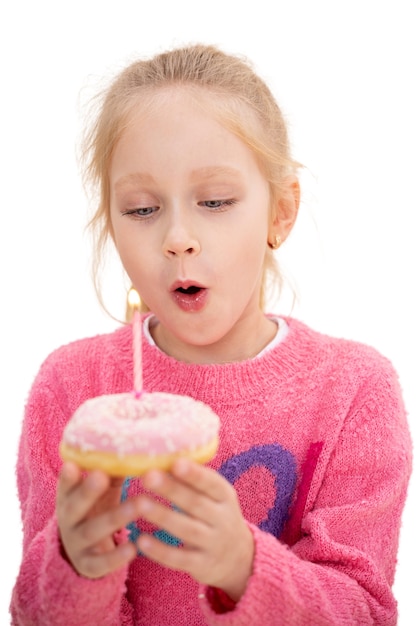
(89, 514)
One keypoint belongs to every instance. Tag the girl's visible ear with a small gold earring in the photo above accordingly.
(285, 211)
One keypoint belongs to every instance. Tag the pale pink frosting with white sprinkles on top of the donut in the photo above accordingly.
(155, 423)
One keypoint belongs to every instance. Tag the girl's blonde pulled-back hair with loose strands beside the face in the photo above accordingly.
(241, 100)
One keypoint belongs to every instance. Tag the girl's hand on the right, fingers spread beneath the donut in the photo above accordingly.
(218, 546)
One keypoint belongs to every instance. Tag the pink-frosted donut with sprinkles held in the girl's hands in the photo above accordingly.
(126, 435)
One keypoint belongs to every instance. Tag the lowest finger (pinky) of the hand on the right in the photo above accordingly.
(190, 531)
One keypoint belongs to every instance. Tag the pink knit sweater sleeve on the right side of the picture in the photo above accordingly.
(341, 570)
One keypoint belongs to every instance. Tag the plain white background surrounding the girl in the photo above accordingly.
(345, 76)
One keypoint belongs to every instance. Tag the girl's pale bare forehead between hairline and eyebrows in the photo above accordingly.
(196, 121)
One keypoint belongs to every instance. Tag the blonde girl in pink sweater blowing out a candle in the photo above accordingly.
(296, 520)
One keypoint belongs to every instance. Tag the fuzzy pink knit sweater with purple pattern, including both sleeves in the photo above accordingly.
(313, 437)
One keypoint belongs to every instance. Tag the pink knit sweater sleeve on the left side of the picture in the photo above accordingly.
(47, 589)
